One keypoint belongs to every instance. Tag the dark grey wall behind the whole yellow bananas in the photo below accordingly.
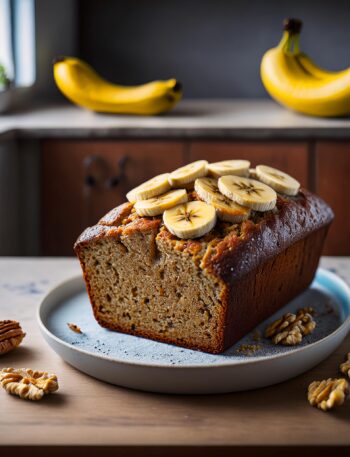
(213, 46)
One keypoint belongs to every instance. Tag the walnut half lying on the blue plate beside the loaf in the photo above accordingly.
(290, 328)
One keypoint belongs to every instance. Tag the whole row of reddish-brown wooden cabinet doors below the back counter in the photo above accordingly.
(82, 180)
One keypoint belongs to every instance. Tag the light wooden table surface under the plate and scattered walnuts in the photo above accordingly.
(87, 412)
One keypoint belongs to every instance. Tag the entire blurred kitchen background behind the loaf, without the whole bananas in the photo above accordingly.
(62, 168)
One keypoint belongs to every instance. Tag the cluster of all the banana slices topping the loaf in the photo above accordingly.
(229, 194)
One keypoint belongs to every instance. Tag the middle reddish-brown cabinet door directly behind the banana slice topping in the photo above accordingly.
(287, 156)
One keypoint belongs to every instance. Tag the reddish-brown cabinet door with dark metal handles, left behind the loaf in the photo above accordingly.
(82, 180)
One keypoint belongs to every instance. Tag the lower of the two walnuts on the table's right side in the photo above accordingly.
(328, 393)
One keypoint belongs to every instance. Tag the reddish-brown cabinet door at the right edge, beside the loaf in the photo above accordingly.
(332, 177)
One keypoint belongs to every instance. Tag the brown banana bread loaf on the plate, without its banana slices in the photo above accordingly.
(203, 293)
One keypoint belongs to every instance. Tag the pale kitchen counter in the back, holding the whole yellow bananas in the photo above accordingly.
(253, 119)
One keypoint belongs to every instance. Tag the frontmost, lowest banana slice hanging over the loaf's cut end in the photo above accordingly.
(190, 220)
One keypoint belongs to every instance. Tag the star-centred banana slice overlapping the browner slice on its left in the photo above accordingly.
(248, 192)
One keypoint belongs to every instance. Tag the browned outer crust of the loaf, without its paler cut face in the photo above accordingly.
(257, 266)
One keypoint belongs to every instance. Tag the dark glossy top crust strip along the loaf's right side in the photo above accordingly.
(295, 219)
